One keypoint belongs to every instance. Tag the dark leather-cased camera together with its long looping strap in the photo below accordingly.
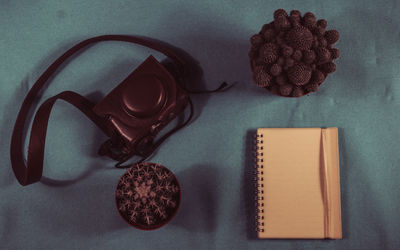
(132, 114)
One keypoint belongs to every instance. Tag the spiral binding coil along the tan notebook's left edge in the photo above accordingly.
(258, 179)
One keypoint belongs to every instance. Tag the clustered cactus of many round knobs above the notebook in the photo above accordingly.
(293, 55)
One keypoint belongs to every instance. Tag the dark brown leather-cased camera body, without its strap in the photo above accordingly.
(137, 109)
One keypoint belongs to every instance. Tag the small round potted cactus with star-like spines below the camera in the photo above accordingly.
(147, 195)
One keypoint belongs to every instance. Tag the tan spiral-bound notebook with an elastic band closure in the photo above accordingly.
(298, 185)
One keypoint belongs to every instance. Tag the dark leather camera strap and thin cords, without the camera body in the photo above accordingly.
(31, 171)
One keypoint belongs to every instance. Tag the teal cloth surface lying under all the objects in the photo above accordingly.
(212, 156)
